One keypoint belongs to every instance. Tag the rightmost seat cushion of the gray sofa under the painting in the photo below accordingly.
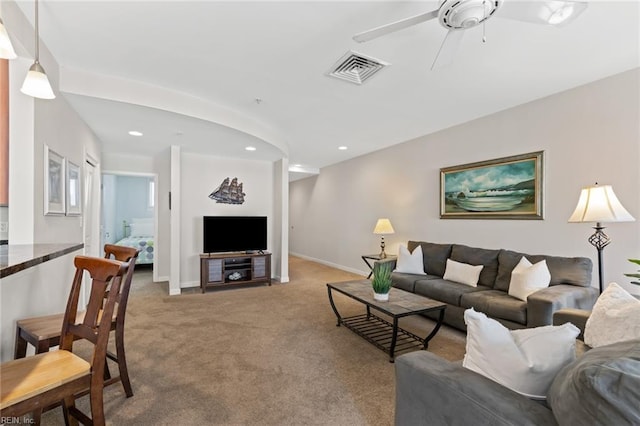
(496, 304)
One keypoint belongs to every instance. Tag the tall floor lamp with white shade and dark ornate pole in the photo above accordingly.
(599, 204)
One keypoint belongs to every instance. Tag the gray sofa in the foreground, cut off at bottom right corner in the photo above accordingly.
(601, 387)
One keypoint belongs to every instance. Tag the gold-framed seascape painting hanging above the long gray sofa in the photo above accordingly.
(504, 188)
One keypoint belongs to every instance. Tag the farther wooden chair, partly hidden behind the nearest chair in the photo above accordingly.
(44, 332)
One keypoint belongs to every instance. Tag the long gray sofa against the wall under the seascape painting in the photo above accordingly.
(570, 285)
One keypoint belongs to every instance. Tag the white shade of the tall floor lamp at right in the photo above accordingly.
(599, 204)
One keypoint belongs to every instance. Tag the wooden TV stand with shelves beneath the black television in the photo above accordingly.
(226, 269)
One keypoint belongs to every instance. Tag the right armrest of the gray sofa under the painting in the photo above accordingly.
(543, 303)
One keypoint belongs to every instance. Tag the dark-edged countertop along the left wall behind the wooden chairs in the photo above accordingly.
(18, 257)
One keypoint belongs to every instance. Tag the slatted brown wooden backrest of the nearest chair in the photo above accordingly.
(106, 278)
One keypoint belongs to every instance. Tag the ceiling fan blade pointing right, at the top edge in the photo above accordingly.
(548, 12)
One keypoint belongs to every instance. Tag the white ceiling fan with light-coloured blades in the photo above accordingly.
(459, 15)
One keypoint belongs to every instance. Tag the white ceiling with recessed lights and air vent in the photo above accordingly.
(223, 56)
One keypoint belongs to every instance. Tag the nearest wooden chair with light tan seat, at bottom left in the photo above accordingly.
(32, 383)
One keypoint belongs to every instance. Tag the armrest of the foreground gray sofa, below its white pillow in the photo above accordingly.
(433, 391)
